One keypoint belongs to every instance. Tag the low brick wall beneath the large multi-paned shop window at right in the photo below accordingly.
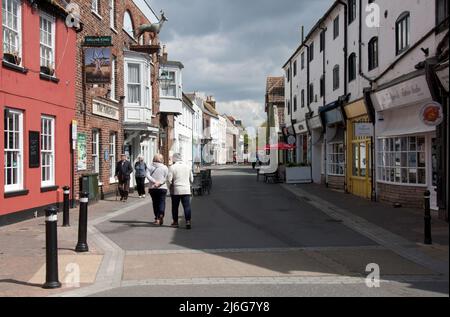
(407, 196)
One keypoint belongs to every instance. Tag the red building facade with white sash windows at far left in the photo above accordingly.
(37, 105)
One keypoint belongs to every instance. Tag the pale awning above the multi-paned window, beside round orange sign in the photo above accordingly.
(402, 121)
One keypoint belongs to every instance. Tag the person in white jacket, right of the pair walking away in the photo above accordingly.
(180, 179)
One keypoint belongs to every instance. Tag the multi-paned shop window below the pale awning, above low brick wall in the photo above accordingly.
(402, 160)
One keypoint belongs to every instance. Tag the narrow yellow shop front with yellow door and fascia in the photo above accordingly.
(359, 136)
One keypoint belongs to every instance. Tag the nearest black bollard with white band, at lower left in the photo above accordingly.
(51, 244)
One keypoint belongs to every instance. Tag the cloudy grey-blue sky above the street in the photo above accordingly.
(229, 47)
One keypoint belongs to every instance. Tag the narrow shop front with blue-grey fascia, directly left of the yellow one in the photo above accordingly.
(333, 121)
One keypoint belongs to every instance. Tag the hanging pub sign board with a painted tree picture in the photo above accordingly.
(97, 65)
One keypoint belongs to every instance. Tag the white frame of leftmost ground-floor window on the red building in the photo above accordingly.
(20, 150)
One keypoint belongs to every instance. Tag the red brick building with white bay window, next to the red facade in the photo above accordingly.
(120, 117)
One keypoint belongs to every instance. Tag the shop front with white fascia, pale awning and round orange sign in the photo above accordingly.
(406, 120)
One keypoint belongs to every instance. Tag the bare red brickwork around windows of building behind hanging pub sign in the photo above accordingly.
(95, 26)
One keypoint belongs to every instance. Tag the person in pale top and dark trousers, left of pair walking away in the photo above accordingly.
(157, 175)
